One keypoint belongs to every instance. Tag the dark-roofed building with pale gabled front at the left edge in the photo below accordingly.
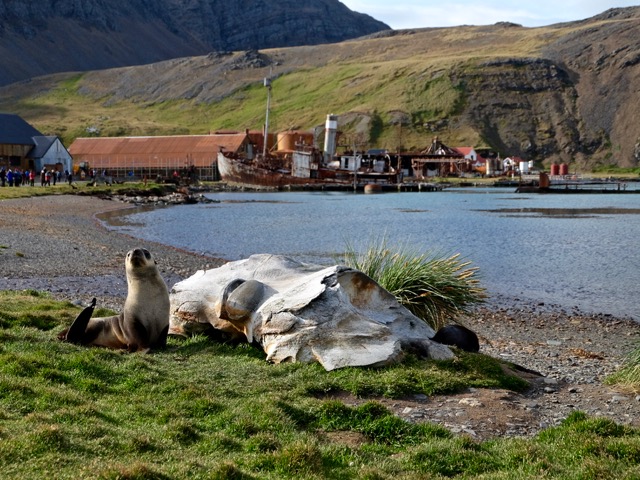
(23, 147)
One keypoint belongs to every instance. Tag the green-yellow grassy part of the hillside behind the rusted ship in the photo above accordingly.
(403, 73)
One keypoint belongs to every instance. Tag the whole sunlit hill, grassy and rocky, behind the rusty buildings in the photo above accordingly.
(561, 93)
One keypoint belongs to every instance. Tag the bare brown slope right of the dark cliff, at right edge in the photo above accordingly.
(601, 56)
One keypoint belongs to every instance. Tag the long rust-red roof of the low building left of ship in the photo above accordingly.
(162, 151)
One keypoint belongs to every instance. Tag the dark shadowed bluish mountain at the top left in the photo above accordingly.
(49, 36)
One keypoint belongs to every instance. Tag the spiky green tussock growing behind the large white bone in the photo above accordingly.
(438, 289)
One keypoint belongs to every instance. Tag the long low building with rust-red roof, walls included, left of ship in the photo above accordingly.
(156, 156)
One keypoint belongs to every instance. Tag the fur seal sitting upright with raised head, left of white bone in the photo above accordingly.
(144, 322)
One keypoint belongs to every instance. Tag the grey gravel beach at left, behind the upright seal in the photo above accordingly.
(56, 243)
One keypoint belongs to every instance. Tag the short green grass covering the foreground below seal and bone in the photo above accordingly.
(201, 410)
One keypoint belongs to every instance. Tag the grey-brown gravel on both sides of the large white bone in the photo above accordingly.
(56, 244)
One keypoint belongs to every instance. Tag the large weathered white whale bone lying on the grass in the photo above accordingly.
(301, 312)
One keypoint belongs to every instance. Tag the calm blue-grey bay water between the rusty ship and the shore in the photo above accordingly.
(567, 250)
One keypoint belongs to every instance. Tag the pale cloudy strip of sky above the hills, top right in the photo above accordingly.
(401, 14)
